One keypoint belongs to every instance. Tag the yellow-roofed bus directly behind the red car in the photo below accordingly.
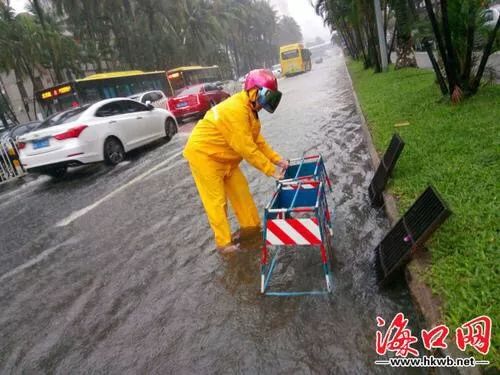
(185, 76)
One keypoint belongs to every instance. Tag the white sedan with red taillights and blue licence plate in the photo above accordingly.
(103, 131)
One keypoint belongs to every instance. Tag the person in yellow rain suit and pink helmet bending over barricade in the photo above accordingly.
(228, 133)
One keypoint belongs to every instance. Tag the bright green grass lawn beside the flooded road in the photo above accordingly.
(455, 148)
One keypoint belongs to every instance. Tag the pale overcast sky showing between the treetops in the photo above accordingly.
(301, 10)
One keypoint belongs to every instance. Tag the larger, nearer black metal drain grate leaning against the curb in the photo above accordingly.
(425, 215)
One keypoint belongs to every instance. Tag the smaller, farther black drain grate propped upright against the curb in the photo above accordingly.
(384, 170)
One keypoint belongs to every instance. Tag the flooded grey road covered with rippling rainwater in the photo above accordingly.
(115, 270)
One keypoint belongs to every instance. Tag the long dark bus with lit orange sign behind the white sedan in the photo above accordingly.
(100, 86)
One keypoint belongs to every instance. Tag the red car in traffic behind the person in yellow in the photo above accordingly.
(196, 100)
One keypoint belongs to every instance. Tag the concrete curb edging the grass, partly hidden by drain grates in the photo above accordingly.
(427, 304)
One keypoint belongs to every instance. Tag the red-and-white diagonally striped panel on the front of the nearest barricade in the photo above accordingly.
(293, 232)
